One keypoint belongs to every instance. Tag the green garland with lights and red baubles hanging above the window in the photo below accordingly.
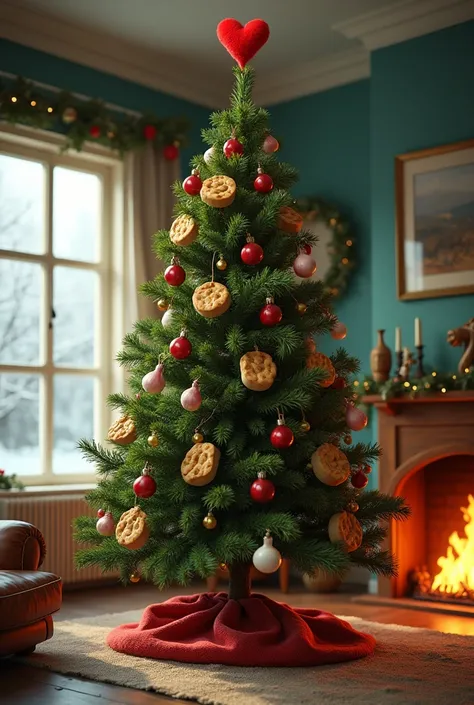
(26, 103)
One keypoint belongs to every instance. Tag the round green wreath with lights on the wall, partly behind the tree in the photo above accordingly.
(342, 245)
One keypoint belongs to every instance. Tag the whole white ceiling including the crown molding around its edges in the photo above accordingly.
(171, 45)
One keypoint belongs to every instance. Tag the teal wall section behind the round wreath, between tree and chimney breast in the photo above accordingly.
(327, 137)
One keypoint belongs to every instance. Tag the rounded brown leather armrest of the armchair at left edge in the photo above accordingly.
(22, 546)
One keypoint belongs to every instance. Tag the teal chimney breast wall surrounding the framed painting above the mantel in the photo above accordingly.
(421, 96)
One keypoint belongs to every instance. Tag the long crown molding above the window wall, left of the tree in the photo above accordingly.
(103, 52)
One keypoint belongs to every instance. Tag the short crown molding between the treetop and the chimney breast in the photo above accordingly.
(312, 77)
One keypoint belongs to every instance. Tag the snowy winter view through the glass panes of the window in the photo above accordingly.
(24, 319)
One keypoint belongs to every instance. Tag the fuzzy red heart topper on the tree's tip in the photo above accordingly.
(242, 43)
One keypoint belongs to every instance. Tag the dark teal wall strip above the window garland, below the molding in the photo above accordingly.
(67, 75)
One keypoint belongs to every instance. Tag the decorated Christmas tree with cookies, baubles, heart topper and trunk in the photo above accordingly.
(236, 429)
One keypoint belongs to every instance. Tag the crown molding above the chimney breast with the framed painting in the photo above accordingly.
(405, 20)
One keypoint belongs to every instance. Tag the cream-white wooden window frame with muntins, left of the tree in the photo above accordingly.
(42, 146)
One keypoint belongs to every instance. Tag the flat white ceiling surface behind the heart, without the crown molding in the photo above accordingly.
(186, 29)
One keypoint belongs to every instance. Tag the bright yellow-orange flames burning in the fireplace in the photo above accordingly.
(456, 576)
